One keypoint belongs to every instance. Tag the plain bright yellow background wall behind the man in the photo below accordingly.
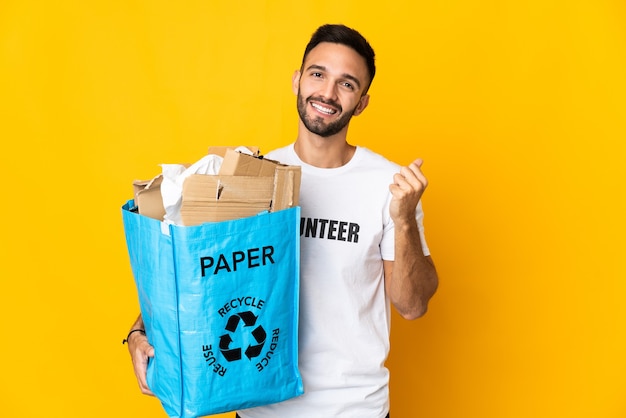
(518, 109)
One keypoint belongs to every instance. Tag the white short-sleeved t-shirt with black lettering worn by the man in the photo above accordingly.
(346, 232)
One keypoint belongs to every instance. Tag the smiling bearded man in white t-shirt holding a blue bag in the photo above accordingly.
(348, 280)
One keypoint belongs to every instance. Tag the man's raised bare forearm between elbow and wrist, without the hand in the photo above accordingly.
(413, 278)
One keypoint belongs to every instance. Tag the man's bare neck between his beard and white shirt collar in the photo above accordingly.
(323, 152)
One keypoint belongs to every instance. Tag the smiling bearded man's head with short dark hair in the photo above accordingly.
(336, 72)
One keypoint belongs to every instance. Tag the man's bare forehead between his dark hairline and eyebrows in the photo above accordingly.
(339, 59)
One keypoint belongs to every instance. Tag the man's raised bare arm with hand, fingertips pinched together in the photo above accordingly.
(411, 279)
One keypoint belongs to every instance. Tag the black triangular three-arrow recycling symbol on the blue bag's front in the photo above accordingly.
(232, 325)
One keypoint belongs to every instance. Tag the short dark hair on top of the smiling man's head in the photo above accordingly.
(341, 34)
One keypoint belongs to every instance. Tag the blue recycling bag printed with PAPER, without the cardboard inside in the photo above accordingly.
(220, 306)
